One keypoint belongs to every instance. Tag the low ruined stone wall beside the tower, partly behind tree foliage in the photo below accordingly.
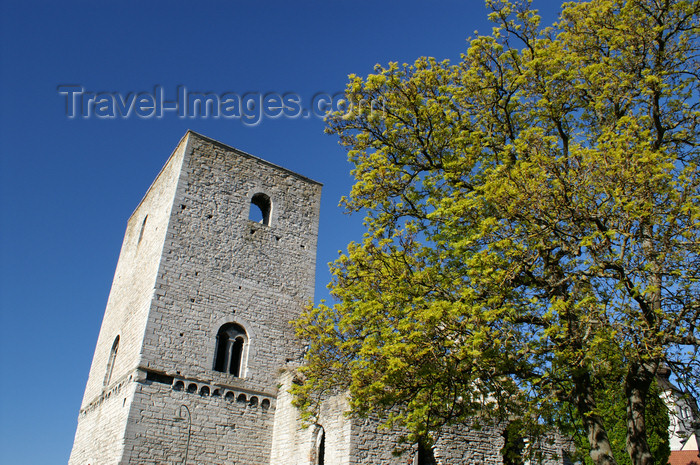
(364, 441)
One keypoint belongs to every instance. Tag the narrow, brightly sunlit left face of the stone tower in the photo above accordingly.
(102, 418)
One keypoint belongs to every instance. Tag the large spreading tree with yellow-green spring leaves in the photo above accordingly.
(532, 233)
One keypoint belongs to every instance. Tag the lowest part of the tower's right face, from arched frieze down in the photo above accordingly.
(223, 428)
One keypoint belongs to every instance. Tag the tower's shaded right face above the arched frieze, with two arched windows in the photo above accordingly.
(220, 267)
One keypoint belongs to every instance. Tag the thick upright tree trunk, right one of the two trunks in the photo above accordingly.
(637, 383)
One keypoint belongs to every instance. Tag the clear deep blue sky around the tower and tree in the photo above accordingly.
(67, 186)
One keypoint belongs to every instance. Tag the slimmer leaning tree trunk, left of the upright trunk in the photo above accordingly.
(601, 452)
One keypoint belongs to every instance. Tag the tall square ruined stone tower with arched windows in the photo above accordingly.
(196, 327)
